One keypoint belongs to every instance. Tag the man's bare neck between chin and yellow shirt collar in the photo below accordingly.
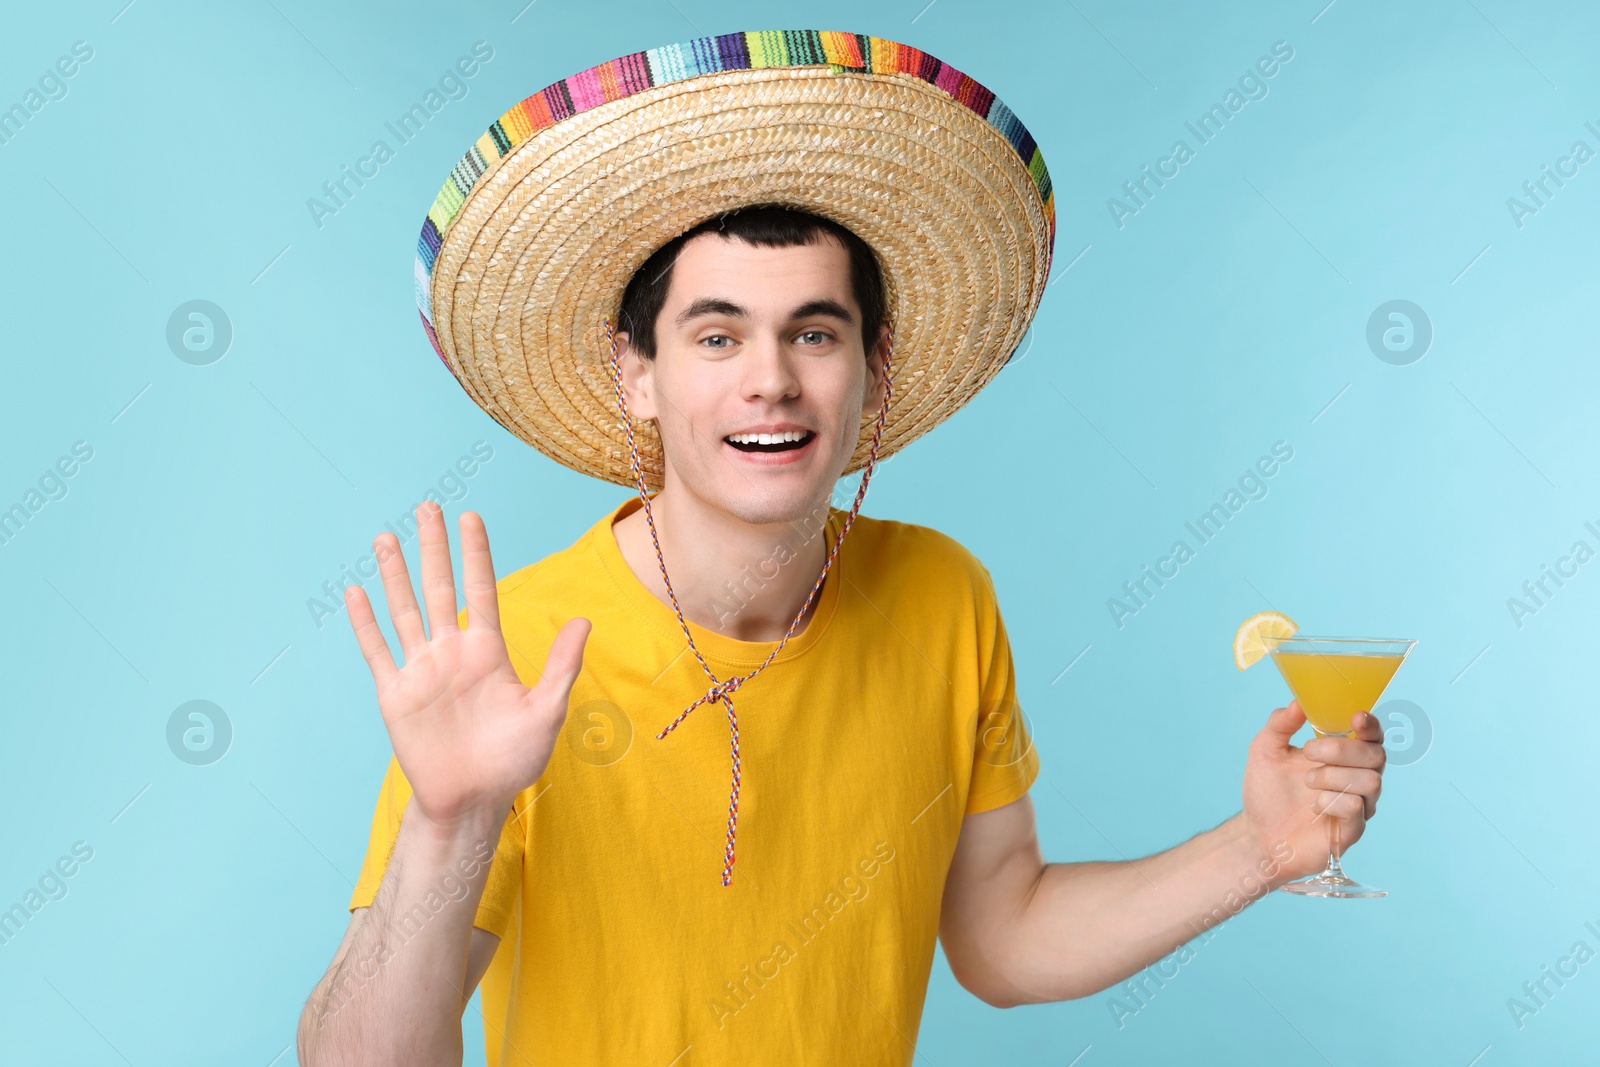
(735, 578)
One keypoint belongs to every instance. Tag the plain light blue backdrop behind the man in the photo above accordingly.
(1175, 351)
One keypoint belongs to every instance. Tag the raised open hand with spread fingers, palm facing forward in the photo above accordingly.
(468, 733)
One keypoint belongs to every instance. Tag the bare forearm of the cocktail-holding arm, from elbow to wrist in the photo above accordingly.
(1086, 927)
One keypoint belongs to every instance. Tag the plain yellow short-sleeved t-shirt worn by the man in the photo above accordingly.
(862, 746)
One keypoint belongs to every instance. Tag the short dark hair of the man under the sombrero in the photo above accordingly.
(766, 226)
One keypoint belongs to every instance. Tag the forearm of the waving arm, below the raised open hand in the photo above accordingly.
(396, 991)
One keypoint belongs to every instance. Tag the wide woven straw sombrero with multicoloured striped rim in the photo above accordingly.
(532, 241)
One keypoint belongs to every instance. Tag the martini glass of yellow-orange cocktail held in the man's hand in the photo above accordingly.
(1334, 679)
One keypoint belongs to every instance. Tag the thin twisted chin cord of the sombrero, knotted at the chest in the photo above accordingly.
(724, 690)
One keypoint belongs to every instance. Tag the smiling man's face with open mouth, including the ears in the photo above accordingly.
(758, 342)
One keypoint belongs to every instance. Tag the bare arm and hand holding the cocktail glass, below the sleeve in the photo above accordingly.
(1018, 930)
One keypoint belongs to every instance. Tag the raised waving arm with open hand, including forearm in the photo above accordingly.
(468, 737)
